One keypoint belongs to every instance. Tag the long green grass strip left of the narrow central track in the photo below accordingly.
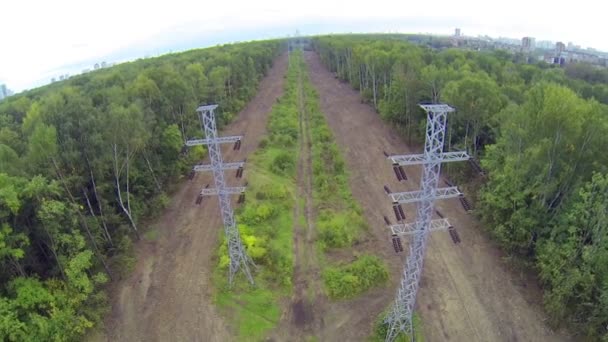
(265, 223)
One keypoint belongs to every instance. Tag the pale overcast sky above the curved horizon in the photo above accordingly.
(44, 39)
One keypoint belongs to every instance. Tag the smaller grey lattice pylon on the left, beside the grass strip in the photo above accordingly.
(238, 256)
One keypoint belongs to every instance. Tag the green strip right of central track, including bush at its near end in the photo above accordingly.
(339, 219)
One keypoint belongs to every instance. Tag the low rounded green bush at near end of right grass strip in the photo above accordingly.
(349, 280)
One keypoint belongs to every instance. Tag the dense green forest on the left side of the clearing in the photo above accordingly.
(84, 162)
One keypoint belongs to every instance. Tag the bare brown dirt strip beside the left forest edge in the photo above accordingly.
(168, 296)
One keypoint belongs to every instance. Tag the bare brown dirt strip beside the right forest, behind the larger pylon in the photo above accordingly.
(467, 293)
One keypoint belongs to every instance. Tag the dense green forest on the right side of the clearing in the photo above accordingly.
(539, 133)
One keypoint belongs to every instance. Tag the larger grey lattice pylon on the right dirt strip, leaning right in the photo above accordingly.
(399, 318)
